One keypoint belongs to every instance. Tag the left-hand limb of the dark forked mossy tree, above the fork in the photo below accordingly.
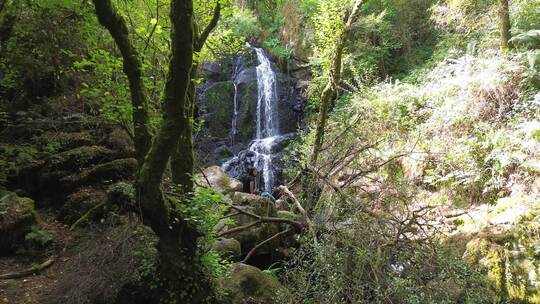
(109, 18)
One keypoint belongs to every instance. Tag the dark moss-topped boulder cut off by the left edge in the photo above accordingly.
(17, 215)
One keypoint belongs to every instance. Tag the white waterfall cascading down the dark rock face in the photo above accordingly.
(260, 150)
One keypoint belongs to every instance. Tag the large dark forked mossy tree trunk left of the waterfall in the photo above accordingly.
(179, 269)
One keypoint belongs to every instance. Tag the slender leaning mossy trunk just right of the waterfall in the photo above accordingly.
(330, 90)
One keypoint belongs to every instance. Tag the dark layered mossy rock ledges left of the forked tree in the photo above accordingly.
(74, 163)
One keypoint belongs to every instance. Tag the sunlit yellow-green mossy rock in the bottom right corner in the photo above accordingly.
(506, 246)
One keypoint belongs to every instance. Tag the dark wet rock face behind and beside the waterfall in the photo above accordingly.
(227, 103)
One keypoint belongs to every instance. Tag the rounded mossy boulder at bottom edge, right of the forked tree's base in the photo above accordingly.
(248, 284)
